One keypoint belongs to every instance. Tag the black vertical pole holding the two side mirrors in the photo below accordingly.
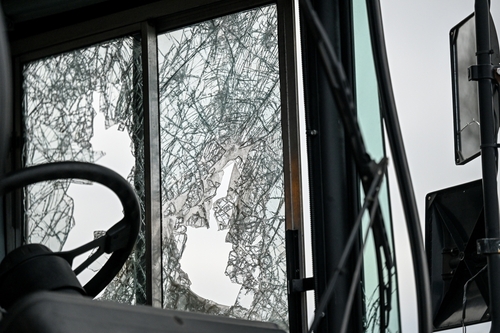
(488, 156)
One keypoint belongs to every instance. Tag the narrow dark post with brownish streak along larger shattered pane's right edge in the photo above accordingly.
(297, 307)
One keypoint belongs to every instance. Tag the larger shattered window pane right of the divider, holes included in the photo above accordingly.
(222, 168)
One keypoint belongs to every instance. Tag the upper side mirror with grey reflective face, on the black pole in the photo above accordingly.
(465, 94)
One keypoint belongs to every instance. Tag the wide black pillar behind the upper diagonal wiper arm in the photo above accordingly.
(333, 184)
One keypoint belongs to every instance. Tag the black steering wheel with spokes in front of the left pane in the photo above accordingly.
(118, 240)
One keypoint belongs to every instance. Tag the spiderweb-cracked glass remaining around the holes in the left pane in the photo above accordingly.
(59, 112)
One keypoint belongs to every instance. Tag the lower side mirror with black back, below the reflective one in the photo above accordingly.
(454, 222)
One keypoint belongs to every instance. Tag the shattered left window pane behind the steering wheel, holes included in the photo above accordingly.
(85, 105)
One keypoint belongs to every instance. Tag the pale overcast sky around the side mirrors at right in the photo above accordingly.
(417, 40)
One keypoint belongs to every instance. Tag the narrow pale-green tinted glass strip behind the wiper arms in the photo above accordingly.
(369, 117)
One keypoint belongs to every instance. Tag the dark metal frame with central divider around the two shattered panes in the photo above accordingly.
(149, 20)
